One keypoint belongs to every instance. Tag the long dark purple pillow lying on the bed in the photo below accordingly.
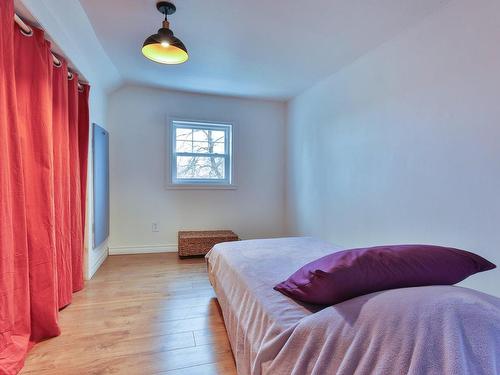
(350, 273)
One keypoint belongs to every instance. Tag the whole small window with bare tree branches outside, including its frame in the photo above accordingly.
(201, 153)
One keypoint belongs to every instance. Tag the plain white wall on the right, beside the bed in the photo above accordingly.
(403, 145)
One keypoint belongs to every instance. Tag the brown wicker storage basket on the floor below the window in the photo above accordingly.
(197, 243)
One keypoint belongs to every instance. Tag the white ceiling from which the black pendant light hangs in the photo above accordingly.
(267, 49)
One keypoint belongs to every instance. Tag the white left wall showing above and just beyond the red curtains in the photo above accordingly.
(67, 26)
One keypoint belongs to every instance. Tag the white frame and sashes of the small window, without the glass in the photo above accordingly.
(190, 183)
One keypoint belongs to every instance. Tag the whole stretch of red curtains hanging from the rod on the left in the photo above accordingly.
(42, 165)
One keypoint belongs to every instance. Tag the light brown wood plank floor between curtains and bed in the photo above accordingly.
(141, 314)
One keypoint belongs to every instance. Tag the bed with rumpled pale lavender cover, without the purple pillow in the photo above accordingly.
(424, 330)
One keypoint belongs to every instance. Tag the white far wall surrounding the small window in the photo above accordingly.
(138, 123)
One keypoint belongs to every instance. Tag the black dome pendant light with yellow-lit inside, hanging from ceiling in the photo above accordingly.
(163, 47)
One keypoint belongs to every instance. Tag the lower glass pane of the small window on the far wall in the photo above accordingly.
(200, 167)
